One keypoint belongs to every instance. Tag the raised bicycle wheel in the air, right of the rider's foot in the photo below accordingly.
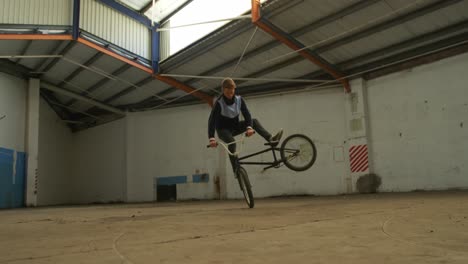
(298, 152)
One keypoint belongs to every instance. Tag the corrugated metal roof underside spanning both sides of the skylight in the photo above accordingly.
(346, 34)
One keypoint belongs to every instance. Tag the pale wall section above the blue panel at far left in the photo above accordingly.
(13, 94)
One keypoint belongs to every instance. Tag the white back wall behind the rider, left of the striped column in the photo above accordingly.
(172, 142)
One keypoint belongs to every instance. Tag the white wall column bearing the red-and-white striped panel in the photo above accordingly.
(357, 143)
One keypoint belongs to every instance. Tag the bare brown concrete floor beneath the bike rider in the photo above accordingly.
(383, 228)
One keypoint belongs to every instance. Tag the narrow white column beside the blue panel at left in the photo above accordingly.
(32, 140)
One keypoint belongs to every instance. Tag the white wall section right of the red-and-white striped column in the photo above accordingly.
(419, 127)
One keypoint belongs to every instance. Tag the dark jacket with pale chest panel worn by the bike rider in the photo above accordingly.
(225, 114)
